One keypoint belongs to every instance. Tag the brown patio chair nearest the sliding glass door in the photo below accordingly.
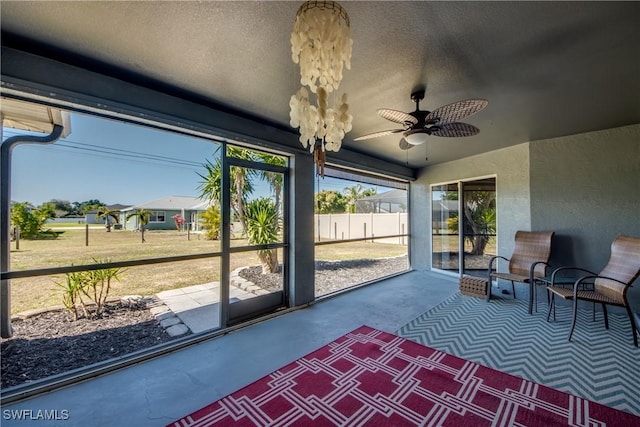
(529, 260)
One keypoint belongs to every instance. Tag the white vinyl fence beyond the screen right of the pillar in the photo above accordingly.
(362, 225)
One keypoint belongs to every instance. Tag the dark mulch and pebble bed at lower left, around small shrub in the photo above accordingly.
(51, 343)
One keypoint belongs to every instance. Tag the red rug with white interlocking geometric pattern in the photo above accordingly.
(373, 378)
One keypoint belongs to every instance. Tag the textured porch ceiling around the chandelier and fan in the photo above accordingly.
(547, 68)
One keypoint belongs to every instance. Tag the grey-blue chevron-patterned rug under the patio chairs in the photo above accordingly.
(597, 364)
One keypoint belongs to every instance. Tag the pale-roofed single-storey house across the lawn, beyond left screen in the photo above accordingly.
(163, 211)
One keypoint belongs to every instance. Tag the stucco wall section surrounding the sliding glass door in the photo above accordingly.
(510, 166)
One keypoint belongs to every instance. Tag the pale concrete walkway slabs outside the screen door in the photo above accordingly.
(197, 307)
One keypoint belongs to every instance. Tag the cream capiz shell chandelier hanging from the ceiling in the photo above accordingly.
(321, 45)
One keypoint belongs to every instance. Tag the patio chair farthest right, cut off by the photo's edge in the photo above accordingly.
(607, 288)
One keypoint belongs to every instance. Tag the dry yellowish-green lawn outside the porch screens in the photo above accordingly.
(120, 245)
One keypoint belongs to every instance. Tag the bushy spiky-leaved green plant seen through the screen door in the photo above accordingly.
(263, 228)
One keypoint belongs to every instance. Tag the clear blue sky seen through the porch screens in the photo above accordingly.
(114, 162)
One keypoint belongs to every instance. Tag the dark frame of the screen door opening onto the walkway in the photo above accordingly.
(240, 311)
